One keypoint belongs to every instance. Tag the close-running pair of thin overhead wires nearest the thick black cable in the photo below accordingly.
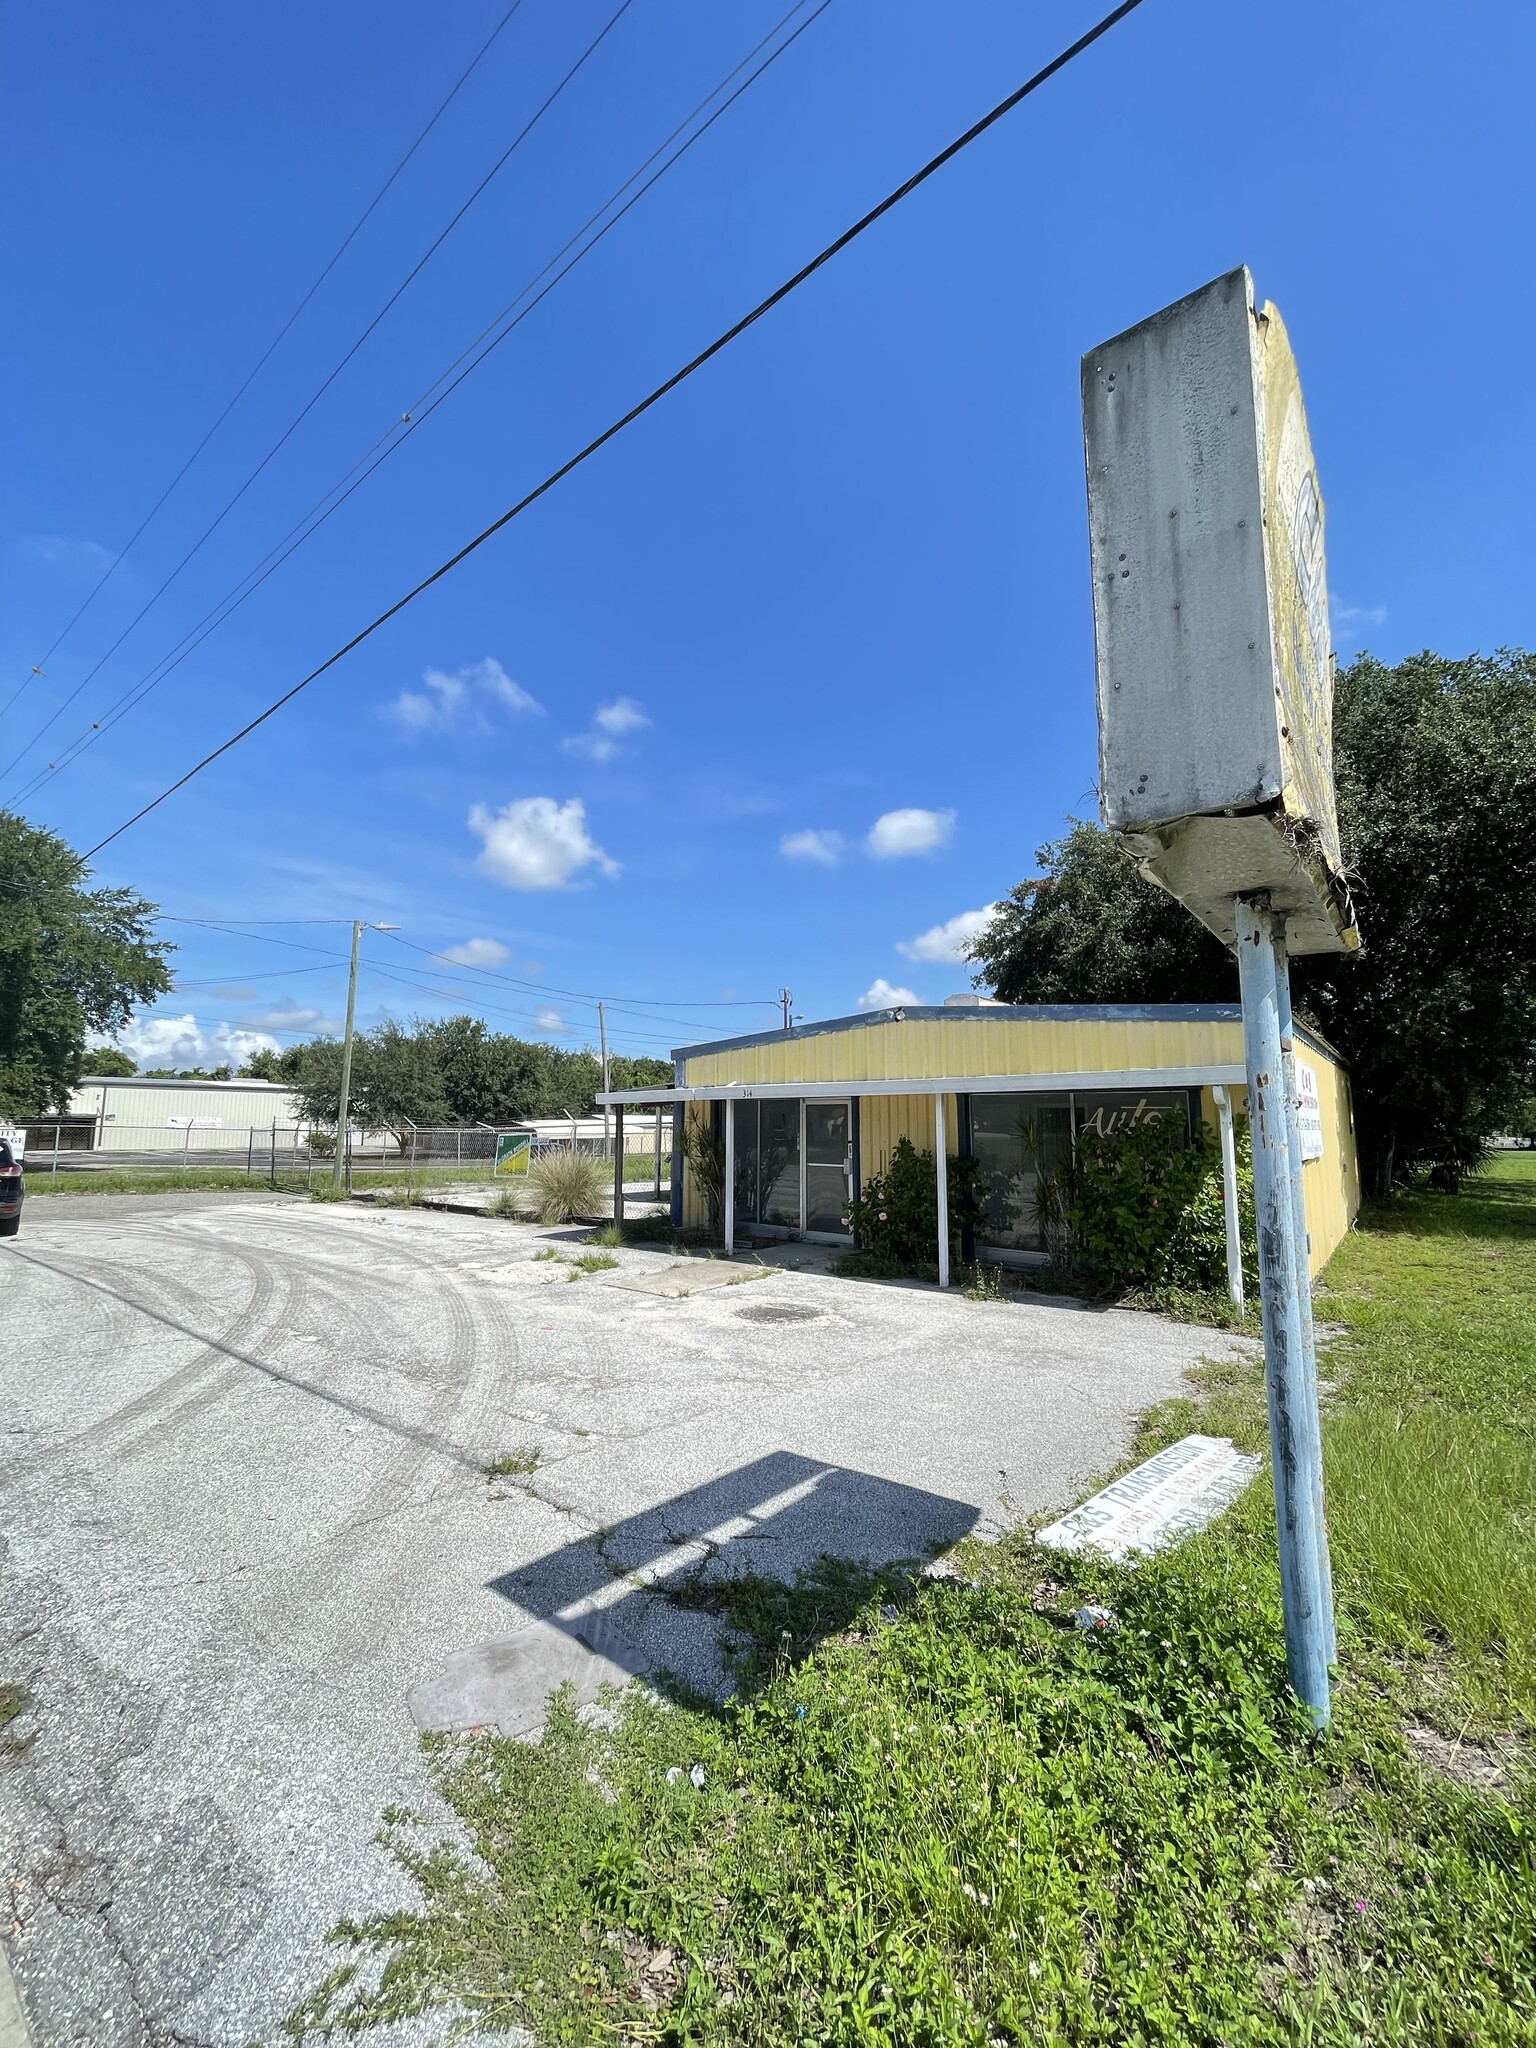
(392, 441)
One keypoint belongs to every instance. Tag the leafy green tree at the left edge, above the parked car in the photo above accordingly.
(75, 964)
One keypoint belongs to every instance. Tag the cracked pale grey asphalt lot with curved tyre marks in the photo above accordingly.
(245, 1517)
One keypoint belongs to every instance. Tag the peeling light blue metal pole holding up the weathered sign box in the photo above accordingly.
(1291, 1392)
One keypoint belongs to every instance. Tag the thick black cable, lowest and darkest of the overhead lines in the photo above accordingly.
(835, 249)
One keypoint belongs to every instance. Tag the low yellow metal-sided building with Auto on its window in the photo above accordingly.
(810, 1113)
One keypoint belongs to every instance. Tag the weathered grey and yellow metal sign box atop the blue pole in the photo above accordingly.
(1215, 673)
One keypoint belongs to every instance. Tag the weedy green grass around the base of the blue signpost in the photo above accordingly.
(943, 1818)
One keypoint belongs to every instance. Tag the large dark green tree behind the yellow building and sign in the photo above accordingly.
(1437, 779)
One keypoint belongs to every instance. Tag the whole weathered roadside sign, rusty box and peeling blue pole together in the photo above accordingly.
(1215, 708)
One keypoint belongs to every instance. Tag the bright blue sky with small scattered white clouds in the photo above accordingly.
(796, 677)
